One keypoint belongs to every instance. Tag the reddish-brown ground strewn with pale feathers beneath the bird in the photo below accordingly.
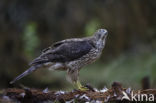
(114, 94)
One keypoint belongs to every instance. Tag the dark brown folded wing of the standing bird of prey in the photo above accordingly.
(65, 52)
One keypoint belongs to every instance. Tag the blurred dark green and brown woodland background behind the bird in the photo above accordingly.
(28, 26)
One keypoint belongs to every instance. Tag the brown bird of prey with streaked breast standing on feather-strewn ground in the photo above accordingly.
(70, 55)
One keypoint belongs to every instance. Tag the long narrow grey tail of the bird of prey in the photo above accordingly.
(28, 71)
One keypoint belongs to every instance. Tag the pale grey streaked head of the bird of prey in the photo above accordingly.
(100, 37)
